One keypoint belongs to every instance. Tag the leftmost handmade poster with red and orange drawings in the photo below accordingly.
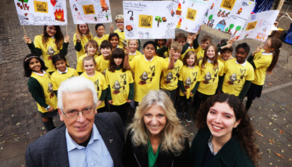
(41, 12)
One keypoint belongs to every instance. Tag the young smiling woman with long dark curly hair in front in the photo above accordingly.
(225, 136)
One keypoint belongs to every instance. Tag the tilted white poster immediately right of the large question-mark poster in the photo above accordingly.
(190, 13)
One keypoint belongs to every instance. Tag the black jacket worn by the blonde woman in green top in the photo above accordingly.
(138, 156)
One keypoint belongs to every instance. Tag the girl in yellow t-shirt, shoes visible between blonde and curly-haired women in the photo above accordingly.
(189, 81)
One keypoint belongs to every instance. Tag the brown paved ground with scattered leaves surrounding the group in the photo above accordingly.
(21, 124)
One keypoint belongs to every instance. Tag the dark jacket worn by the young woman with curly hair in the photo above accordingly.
(230, 155)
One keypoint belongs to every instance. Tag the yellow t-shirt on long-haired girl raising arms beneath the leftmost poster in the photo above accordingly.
(48, 51)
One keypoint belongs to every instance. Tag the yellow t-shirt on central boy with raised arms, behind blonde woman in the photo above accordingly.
(147, 74)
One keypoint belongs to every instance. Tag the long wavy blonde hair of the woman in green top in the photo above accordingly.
(172, 136)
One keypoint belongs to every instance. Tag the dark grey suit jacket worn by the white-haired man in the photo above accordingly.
(50, 150)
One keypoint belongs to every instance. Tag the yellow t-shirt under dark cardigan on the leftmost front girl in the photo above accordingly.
(50, 97)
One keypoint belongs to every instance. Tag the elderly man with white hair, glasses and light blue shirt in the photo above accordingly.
(86, 138)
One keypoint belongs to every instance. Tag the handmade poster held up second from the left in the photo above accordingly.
(91, 11)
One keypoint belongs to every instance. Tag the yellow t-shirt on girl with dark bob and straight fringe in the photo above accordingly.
(119, 85)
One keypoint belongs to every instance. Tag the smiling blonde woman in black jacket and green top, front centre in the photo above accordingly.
(155, 137)
